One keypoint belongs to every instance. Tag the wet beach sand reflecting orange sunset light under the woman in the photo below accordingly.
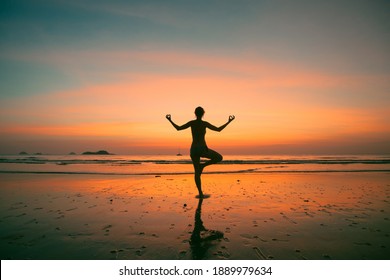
(248, 216)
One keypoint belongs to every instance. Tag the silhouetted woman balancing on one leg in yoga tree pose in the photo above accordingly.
(199, 147)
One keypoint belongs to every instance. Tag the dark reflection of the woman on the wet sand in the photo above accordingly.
(201, 238)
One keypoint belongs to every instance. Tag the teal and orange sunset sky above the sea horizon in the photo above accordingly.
(301, 77)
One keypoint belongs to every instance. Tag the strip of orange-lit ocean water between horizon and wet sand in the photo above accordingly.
(164, 165)
